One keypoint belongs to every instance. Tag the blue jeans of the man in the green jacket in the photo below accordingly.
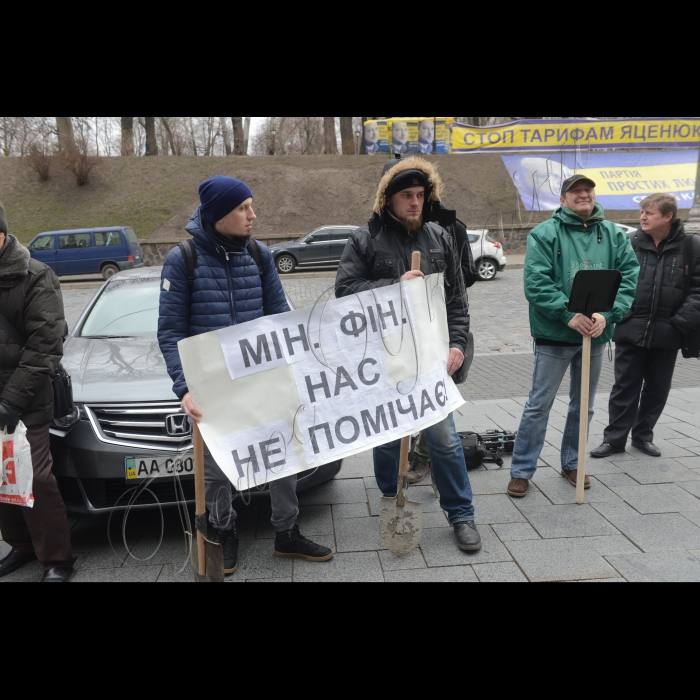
(550, 368)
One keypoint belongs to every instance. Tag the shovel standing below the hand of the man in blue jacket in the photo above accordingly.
(207, 558)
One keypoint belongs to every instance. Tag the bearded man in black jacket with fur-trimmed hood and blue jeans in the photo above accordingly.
(379, 255)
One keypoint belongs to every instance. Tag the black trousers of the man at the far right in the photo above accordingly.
(639, 373)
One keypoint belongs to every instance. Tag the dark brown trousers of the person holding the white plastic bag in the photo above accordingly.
(42, 530)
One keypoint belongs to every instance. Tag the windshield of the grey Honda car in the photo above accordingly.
(126, 308)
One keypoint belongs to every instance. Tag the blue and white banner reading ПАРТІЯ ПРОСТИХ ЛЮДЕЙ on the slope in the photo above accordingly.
(623, 179)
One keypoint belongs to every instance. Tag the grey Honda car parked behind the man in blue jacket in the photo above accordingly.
(131, 427)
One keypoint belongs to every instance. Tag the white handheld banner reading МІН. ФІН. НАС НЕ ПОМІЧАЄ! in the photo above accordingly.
(286, 394)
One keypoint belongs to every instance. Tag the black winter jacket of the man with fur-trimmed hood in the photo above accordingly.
(379, 254)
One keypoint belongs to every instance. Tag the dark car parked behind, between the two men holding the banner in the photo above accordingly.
(321, 248)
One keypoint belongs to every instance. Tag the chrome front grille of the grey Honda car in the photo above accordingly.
(154, 426)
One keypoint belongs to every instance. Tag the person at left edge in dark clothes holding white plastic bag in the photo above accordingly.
(32, 305)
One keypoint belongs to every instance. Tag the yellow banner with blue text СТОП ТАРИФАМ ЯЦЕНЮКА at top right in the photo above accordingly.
(567, 134)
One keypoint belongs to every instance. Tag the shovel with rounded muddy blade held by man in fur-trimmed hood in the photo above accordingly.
(401, 520)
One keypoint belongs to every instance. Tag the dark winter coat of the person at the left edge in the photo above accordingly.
(30, 299)
